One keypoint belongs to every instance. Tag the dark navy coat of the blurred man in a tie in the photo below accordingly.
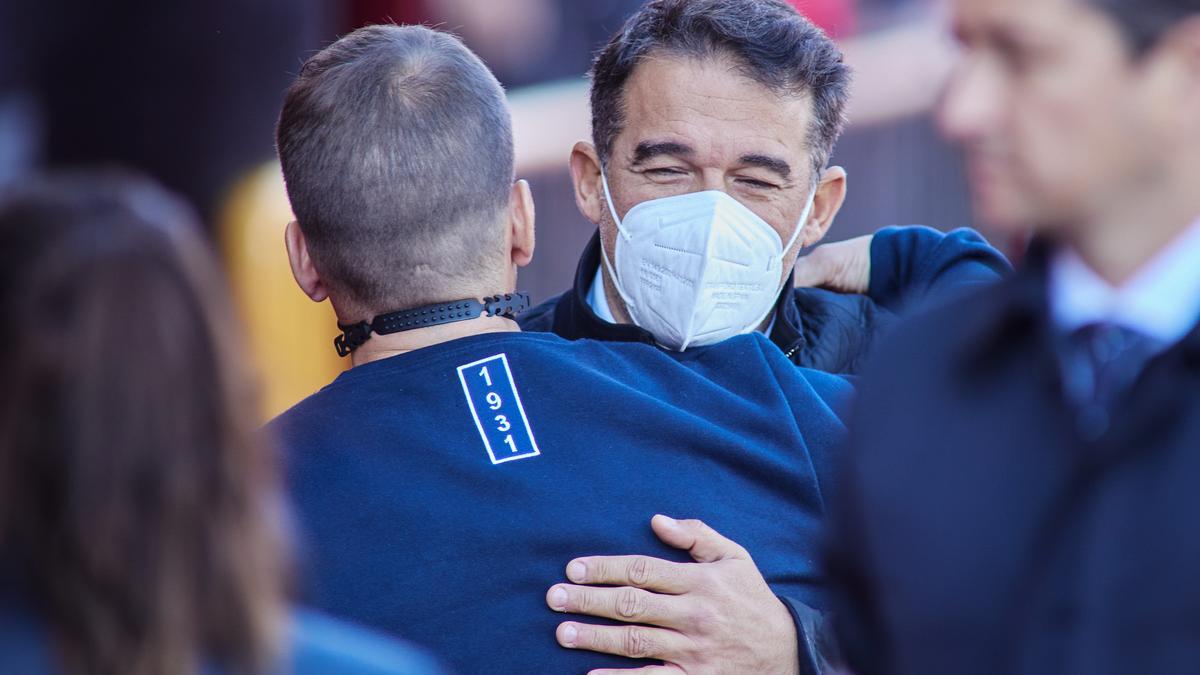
(980, 531)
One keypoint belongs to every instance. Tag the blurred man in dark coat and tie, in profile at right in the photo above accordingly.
(1022, 493)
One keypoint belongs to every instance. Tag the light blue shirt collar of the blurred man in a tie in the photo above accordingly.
(1161, 302)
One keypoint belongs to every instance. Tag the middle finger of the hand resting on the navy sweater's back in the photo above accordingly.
(633, 606)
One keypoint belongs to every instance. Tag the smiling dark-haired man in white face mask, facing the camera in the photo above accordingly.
(712, 126)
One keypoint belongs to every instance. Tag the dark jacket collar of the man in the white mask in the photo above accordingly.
(574, 318)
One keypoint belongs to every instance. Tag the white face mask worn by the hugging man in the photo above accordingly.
(695, 270)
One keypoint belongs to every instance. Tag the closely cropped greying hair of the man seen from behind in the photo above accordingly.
(397, 146)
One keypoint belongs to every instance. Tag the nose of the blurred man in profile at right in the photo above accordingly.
(970, 106)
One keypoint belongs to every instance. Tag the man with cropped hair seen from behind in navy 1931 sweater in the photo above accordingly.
(441, 482)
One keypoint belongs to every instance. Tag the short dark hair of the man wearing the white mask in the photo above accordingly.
(770, 40)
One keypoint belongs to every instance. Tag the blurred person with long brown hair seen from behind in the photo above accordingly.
(141, 517)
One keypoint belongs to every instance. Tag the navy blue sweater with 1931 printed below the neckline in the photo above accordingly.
(437, 506)
